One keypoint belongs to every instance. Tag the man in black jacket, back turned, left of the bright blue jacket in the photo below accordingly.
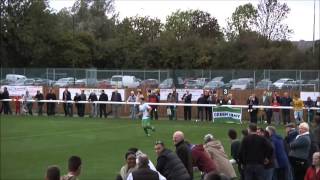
(252, 161)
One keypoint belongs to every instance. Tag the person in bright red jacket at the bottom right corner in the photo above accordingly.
(313, 172)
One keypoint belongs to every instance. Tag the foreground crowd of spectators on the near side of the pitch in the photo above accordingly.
(261, 154)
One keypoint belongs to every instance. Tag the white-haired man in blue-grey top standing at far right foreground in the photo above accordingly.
(299, 151)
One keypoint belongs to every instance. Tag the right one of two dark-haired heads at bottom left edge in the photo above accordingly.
(74, 167)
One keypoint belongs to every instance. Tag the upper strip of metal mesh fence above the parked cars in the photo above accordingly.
(162, 74)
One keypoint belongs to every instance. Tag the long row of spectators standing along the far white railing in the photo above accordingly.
(24, 105)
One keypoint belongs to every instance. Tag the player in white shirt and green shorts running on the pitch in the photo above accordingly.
(145, 111)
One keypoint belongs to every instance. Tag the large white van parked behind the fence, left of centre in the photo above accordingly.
(119, 81)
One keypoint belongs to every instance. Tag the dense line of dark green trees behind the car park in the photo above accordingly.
(90, 34)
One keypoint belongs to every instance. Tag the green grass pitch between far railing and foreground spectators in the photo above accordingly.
(30, 144)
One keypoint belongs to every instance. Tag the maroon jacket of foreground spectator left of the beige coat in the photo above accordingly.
(201, 159)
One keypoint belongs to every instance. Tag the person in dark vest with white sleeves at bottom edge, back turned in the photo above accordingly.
(144, 172)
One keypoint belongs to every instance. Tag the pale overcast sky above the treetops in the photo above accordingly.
(300, 18)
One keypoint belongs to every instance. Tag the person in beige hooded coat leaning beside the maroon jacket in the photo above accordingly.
(218, 156)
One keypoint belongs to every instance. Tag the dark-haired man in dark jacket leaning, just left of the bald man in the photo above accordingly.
(169, 164)
